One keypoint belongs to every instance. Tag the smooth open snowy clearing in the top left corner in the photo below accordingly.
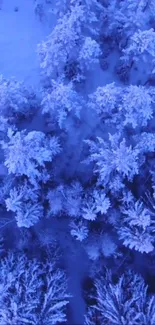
(21, 31)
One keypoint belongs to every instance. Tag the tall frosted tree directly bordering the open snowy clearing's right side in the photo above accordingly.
(63, 43)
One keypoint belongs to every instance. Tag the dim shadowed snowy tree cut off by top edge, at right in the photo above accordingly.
(123, 18)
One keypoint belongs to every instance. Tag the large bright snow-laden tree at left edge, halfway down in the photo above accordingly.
(27, 153)
